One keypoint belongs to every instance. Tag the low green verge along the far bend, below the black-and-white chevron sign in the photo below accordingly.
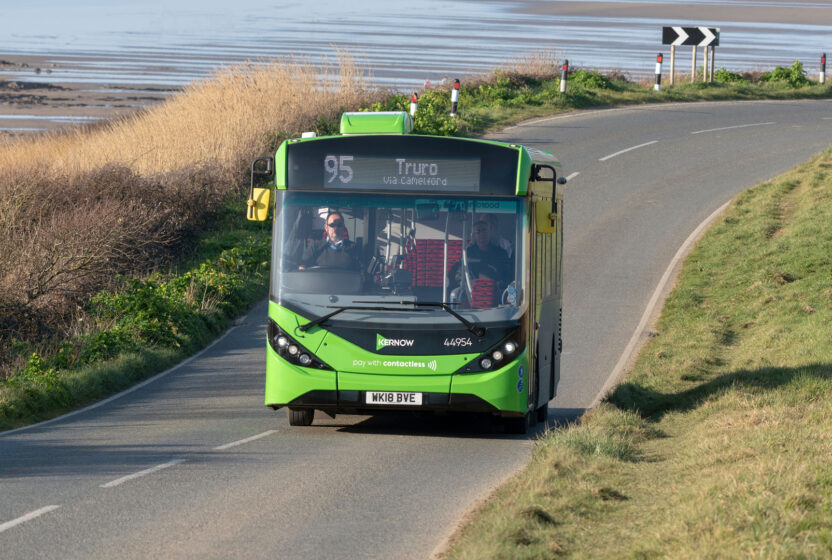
(510, 96)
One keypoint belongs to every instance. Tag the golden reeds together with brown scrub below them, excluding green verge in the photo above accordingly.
(79, 207)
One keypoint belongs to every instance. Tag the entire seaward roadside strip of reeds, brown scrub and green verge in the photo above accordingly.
(81, 316)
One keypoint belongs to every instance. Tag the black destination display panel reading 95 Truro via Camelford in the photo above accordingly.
(402, 164)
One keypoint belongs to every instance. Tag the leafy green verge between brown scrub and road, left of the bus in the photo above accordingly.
(143, 325)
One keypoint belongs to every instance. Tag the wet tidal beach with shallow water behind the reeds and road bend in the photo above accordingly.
(53, 78)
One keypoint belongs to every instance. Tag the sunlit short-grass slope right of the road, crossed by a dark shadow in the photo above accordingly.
(718, 443)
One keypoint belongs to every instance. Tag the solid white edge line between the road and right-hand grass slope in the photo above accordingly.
(634, 345)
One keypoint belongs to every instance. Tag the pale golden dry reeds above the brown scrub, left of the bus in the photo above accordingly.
(221, 120)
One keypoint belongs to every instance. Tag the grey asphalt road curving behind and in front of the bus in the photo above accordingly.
(192, 465)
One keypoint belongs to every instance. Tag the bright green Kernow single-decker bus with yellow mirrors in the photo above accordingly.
(411, 273)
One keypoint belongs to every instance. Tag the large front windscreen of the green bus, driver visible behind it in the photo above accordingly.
(407, 258)
